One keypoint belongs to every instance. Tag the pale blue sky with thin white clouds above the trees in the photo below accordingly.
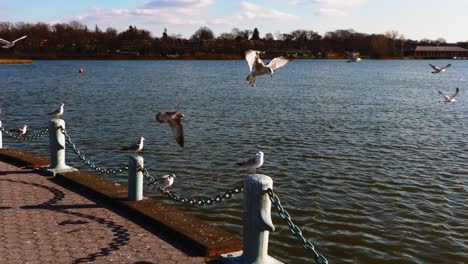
(415, 19)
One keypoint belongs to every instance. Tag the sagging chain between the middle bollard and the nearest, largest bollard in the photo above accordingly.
(192, 201)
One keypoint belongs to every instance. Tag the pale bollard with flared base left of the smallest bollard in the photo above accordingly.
(57, 148)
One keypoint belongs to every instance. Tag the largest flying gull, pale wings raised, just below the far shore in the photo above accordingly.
(258, 68)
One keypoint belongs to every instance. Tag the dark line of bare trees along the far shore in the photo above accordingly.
(75, 40)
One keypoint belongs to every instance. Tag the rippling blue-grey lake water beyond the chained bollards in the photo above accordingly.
(366, 157)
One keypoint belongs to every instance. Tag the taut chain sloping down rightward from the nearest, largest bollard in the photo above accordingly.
(295, 230)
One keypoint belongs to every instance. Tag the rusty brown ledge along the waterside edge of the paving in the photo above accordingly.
(202, 238)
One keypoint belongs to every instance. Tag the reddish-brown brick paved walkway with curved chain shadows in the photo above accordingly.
(42, 222)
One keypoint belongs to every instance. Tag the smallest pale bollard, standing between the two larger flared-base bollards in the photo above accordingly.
(135, 178)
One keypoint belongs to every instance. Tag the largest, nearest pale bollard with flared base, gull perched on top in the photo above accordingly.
(257, 223)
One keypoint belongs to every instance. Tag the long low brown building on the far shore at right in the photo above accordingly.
(431, 52)
